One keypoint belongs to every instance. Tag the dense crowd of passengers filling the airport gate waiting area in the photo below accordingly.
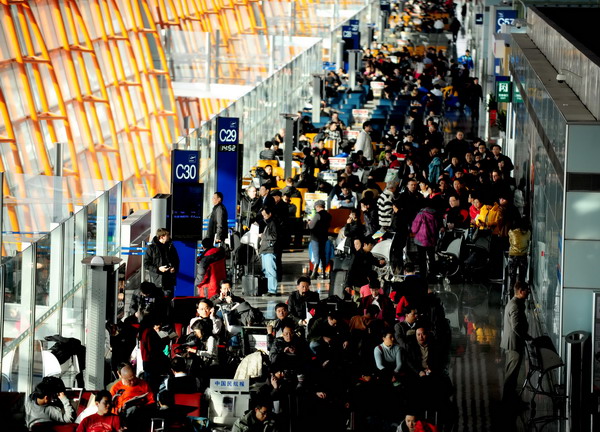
(375, 357)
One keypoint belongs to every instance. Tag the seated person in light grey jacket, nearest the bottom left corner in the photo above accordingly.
(39, 411)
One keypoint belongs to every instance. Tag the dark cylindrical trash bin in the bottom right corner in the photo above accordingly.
(579, 378)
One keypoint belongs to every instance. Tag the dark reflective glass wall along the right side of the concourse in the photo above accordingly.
(541, 182)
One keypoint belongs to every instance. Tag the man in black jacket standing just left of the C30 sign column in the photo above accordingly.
(162, 262)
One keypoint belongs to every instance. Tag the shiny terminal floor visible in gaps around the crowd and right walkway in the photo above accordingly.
(477, 365)
